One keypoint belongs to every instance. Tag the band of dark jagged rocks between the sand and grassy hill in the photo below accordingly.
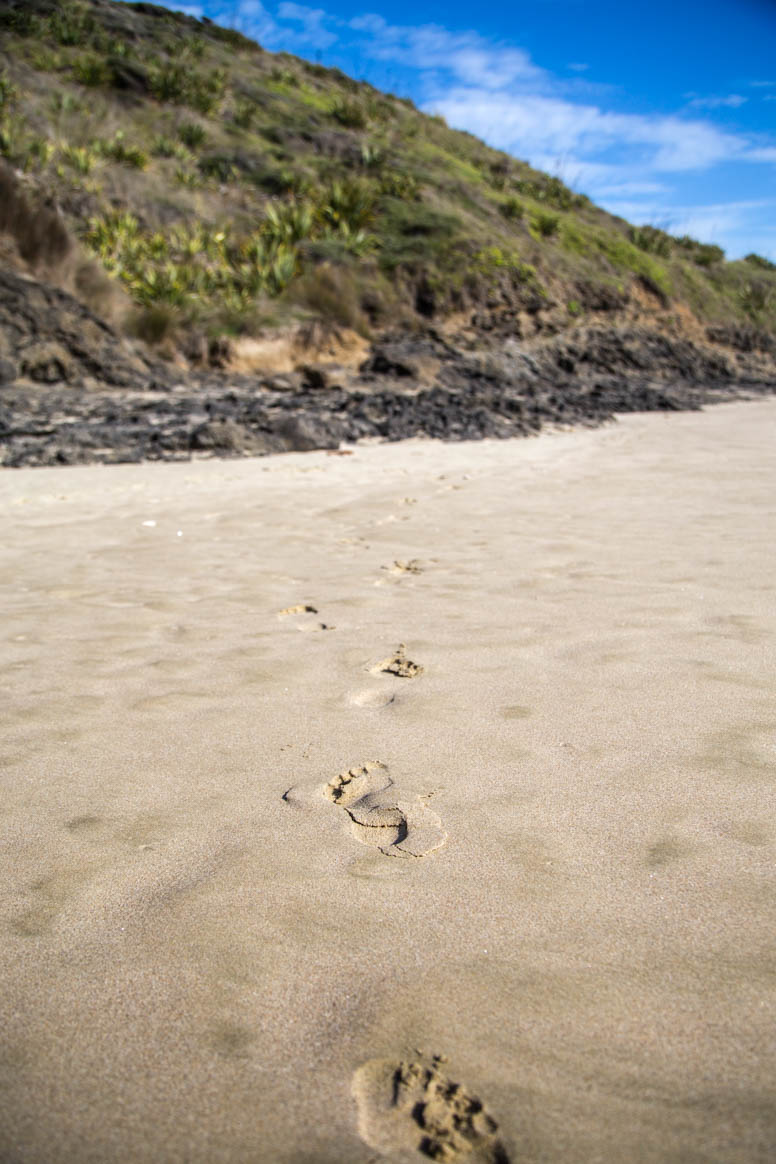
(73, 391)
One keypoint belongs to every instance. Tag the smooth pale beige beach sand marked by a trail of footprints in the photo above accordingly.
(410, 805)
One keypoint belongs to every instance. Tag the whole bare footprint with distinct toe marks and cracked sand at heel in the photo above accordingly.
(380, 819)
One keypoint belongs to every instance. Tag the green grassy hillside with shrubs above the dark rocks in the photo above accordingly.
(231, 190)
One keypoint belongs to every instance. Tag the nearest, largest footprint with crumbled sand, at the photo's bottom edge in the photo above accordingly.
(410, 1108)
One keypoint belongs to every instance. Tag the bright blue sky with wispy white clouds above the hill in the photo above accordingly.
(661, 112)
